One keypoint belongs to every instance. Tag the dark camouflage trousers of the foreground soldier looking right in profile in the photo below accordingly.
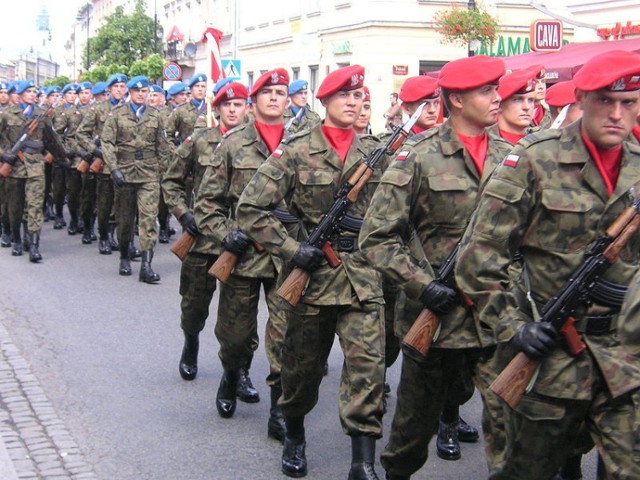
(423, 391)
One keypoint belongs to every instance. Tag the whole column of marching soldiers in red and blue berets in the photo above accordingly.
(509, 180)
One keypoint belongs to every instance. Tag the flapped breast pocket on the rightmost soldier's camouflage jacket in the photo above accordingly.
(563, 219)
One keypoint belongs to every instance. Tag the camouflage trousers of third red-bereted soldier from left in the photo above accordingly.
(307, 344)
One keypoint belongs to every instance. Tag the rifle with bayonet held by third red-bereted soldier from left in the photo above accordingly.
(294, 285)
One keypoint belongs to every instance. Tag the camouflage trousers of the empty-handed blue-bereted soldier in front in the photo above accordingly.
(140, 198)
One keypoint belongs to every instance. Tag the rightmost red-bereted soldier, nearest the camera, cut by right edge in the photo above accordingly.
(550, 200)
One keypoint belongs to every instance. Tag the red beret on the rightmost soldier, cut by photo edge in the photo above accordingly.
(615, 70)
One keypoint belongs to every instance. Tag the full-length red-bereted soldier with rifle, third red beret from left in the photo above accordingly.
(308, 169)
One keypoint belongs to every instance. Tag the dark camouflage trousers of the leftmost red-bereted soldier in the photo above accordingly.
(196, 289)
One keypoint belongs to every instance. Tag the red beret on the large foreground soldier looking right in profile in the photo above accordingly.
(471, 72)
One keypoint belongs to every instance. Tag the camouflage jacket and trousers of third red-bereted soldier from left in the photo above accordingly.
(305, 173)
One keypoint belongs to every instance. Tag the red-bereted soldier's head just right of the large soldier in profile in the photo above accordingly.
(517, 91)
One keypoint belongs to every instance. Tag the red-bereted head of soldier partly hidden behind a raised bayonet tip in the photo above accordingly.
(416, 91)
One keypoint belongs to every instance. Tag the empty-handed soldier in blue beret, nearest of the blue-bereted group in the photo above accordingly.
(136, 149)
